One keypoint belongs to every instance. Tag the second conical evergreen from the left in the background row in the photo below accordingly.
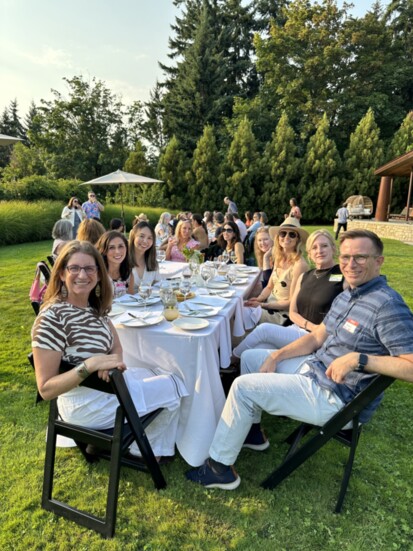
(205, 190)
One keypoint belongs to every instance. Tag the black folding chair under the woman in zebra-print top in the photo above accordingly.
(110, 445)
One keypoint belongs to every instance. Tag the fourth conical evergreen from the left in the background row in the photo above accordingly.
(281, 169)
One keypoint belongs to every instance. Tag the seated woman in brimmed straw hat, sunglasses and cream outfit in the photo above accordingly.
(273, 303)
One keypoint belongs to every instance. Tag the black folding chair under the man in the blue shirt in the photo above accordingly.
(334, 428)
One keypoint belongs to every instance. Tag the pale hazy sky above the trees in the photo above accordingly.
(117, 41)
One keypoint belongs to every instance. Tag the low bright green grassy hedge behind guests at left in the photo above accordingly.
(25, 222)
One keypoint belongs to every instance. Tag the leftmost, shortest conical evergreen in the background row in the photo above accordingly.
(172, 171)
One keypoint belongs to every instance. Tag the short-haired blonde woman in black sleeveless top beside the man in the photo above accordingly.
(312, 298)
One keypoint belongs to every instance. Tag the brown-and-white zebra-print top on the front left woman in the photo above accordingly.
(76, 332)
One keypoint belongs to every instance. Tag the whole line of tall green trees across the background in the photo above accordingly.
(261, 101)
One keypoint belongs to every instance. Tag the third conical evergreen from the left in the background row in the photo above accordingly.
(242, 167)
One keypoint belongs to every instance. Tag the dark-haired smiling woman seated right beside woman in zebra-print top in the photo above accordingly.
(113, 246)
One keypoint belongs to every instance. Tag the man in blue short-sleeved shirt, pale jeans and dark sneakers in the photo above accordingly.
(368, 330)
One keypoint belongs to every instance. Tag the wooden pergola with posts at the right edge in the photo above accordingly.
(400, 166)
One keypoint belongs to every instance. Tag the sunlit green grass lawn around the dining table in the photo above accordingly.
(377, 511)
